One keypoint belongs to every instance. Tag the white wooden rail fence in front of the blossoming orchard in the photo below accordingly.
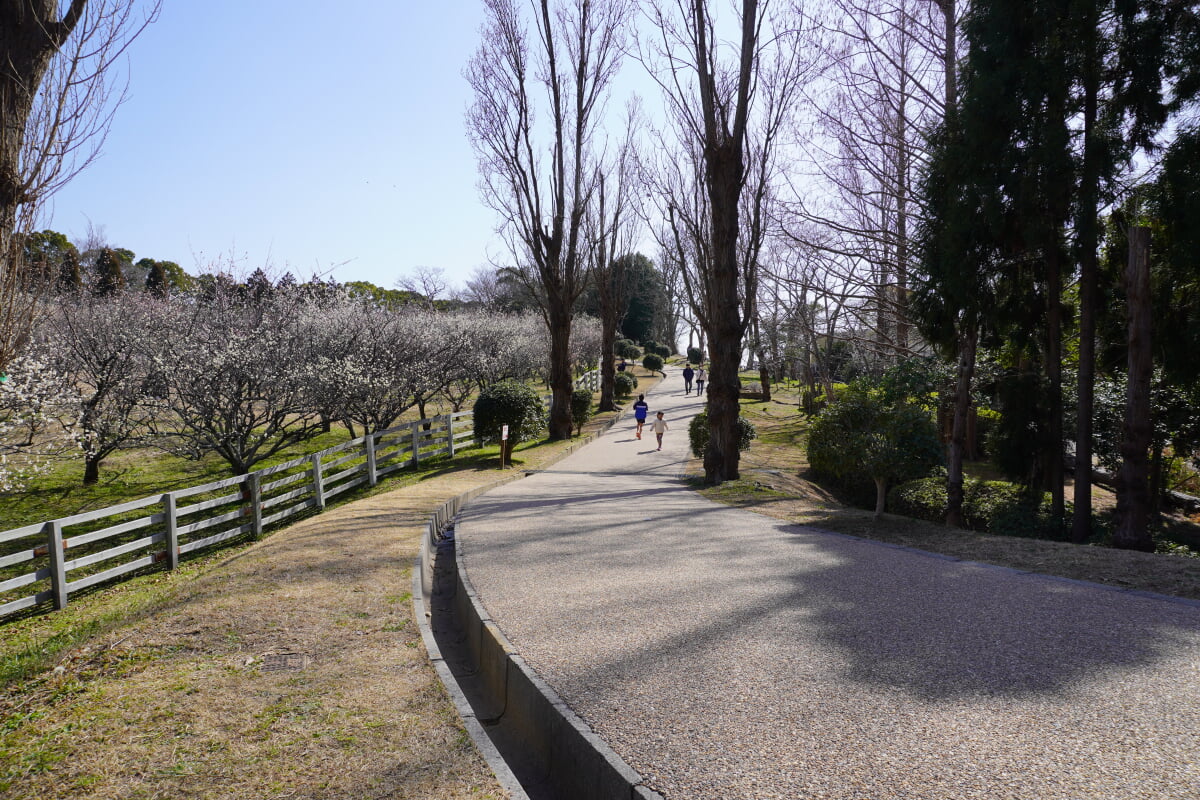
(73, 554)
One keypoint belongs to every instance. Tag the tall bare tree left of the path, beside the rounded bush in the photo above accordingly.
(539, 173)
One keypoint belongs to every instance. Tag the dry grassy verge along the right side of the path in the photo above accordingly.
(773, 483)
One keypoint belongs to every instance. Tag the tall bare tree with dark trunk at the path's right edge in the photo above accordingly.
(729, 117)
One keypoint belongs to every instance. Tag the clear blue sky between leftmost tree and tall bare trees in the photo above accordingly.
(298, 135)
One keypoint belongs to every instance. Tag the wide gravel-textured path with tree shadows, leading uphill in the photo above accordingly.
(729, 655)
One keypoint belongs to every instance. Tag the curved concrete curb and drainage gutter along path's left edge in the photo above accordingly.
(533, 742)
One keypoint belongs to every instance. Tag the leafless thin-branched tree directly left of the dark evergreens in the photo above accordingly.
(885, 93)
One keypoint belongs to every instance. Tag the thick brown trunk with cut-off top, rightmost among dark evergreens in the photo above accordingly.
(1133, 479)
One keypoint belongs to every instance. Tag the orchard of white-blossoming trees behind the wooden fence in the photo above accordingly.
(243, 375)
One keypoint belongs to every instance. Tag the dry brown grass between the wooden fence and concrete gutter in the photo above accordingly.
(184, 701)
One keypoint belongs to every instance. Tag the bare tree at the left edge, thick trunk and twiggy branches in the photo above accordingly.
(58, 94)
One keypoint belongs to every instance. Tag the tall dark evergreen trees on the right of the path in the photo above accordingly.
(1055, 99)
